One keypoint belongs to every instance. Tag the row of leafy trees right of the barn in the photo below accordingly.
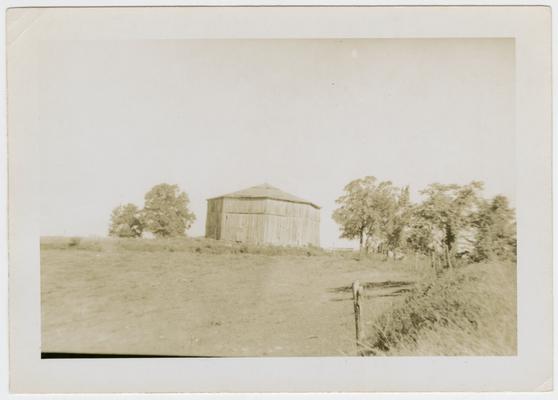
(452, 221)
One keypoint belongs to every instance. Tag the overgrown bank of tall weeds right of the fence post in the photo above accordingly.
(468, 311)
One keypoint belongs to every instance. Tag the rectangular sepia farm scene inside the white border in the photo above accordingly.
(226, 198)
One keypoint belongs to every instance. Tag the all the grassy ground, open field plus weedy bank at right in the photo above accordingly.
(195, 296)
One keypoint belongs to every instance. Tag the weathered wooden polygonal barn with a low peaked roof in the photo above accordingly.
(263, 214)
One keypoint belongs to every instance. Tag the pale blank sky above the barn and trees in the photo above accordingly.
(308, 116)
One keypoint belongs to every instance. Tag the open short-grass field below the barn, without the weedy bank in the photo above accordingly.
(198, 297)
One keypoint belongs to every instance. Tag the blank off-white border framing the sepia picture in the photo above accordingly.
(530, 370)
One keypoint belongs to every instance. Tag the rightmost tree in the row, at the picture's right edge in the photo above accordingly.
(496, 230)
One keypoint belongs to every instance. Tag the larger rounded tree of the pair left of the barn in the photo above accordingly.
(166, 212)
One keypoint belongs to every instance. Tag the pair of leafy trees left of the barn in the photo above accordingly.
(165, 214)
